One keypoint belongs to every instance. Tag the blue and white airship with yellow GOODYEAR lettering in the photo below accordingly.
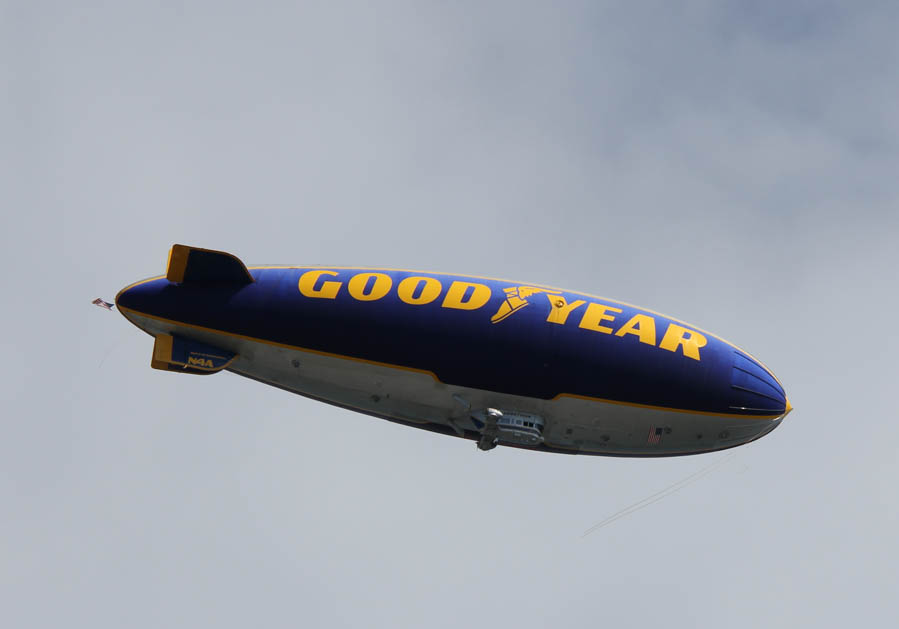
(494, 361)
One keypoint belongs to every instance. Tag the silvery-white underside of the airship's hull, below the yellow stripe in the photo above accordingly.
(579, 425)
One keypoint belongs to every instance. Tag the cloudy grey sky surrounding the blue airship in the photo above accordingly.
(731, 164)
